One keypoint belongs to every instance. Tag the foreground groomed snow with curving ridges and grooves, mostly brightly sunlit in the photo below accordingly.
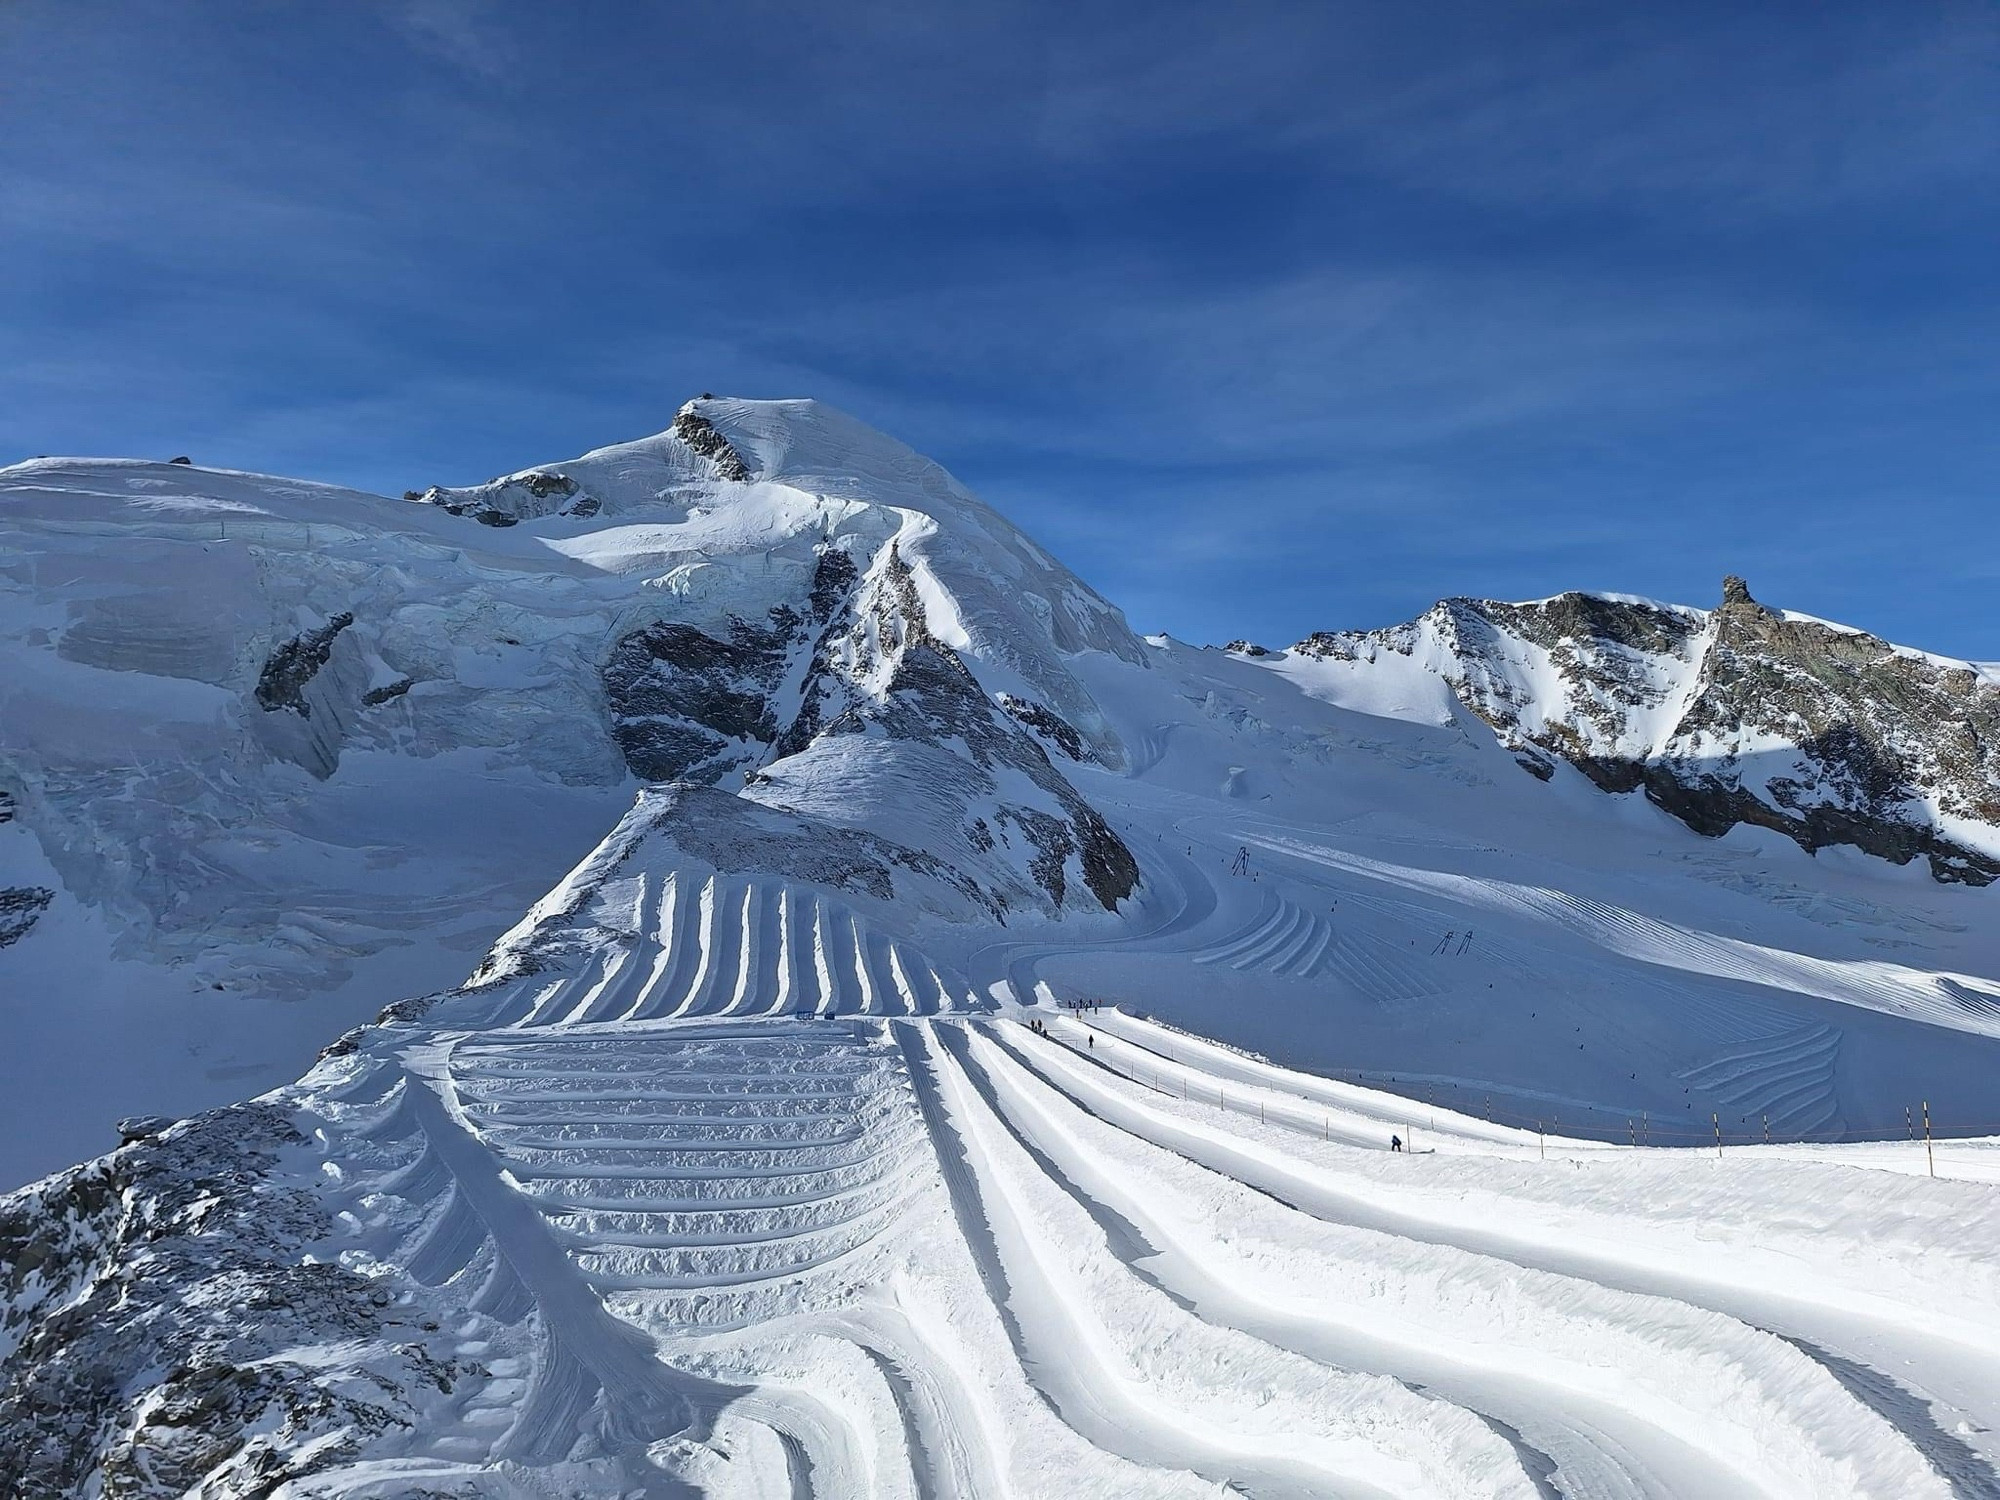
(1027, 1255)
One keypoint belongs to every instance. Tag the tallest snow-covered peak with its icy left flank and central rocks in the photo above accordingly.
(275, 741)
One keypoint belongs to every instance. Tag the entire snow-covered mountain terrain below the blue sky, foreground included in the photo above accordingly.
(721, 821)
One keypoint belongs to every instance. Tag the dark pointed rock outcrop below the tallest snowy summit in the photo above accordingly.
(851, 681)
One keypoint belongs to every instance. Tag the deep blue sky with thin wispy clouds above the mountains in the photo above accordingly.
(1267, 319)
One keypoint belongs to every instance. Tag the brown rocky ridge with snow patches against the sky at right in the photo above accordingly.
(1741, 715)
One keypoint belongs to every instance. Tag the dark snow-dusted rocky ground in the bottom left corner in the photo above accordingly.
(163, 1331)
